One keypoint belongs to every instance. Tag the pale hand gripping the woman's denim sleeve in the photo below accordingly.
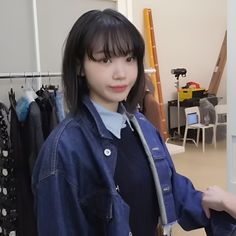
(214, 198)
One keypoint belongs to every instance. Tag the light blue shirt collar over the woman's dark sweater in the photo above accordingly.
(113, 121)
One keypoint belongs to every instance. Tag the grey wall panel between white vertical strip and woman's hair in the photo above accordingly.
(56, 17)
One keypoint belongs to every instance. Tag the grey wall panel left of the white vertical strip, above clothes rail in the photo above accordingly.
(16, 41)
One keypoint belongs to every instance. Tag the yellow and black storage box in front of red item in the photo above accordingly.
(189, 93)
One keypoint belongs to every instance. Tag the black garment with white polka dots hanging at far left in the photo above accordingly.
(8, 214)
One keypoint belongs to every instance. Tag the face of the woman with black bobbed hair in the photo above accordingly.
(110, 79)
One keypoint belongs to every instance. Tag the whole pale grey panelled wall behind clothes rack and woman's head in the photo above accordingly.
(17, 41)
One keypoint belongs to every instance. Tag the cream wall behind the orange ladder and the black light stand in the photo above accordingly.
(189, 34)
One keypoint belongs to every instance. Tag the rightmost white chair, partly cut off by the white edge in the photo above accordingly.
(221, 117)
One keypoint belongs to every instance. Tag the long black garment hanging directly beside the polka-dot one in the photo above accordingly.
(26, 223)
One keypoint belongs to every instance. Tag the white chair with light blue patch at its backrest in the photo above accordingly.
(192, 115)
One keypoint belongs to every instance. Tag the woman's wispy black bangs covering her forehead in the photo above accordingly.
(113, 38)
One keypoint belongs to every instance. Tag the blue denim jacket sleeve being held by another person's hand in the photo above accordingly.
(190, 214)
